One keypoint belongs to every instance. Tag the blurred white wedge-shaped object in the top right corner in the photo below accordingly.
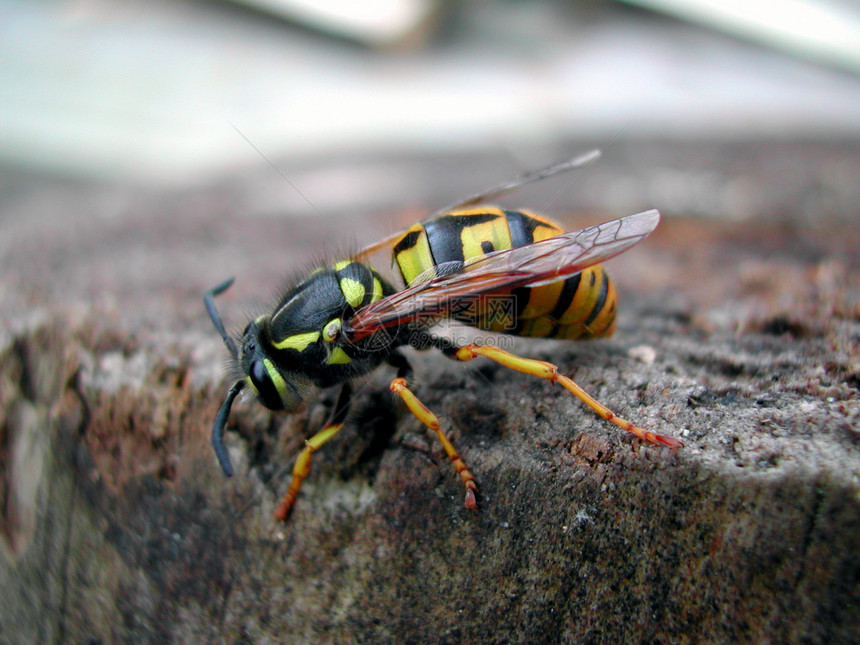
(824, 31)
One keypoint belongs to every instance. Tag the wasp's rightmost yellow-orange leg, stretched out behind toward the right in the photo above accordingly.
(548, 371)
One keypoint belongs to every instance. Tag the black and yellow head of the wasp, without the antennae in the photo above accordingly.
(275, 387)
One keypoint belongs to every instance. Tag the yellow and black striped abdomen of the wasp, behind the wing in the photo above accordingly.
(582, 306)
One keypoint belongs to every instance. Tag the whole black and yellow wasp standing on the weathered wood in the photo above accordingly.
(344, 319)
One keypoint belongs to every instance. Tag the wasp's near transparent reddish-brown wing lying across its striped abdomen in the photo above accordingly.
(533, 265)
